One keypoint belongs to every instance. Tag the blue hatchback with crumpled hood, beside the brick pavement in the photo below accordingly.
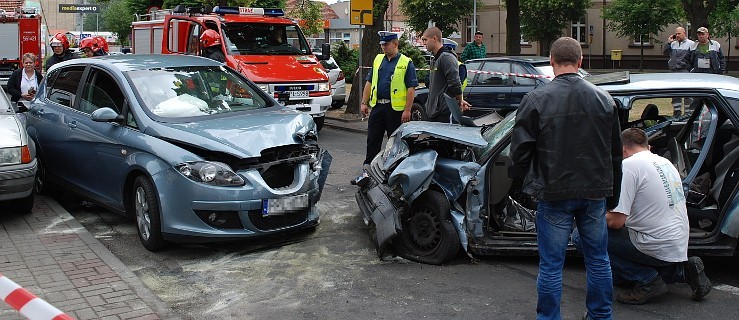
(191, 149)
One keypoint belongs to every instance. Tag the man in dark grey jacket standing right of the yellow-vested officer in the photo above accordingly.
(444, 77)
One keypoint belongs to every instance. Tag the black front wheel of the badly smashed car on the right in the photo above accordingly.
(428, 234)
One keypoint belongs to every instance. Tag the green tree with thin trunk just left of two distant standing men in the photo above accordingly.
(640, 18)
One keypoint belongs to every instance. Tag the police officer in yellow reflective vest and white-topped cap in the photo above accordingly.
(389, 92)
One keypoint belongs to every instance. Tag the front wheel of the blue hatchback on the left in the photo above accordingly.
(146, 208)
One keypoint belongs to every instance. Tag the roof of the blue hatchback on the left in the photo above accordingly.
(132, 62)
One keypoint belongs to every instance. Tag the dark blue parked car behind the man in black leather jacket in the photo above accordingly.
(503, 92)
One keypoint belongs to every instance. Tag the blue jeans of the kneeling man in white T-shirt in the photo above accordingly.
(631, 265)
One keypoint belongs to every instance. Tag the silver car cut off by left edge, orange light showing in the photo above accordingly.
(17, 159)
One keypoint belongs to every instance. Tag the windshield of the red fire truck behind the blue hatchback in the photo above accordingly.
(264, 38)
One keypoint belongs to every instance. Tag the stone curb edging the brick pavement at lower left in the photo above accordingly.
(139, 288)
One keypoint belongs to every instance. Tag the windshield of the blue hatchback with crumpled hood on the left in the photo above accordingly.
(195, 91)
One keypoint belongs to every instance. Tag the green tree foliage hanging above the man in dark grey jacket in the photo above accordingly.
(444, 13)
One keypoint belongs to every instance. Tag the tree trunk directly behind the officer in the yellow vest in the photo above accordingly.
(370, 47)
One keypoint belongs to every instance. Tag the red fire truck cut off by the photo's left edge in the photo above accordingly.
(20, 32)
